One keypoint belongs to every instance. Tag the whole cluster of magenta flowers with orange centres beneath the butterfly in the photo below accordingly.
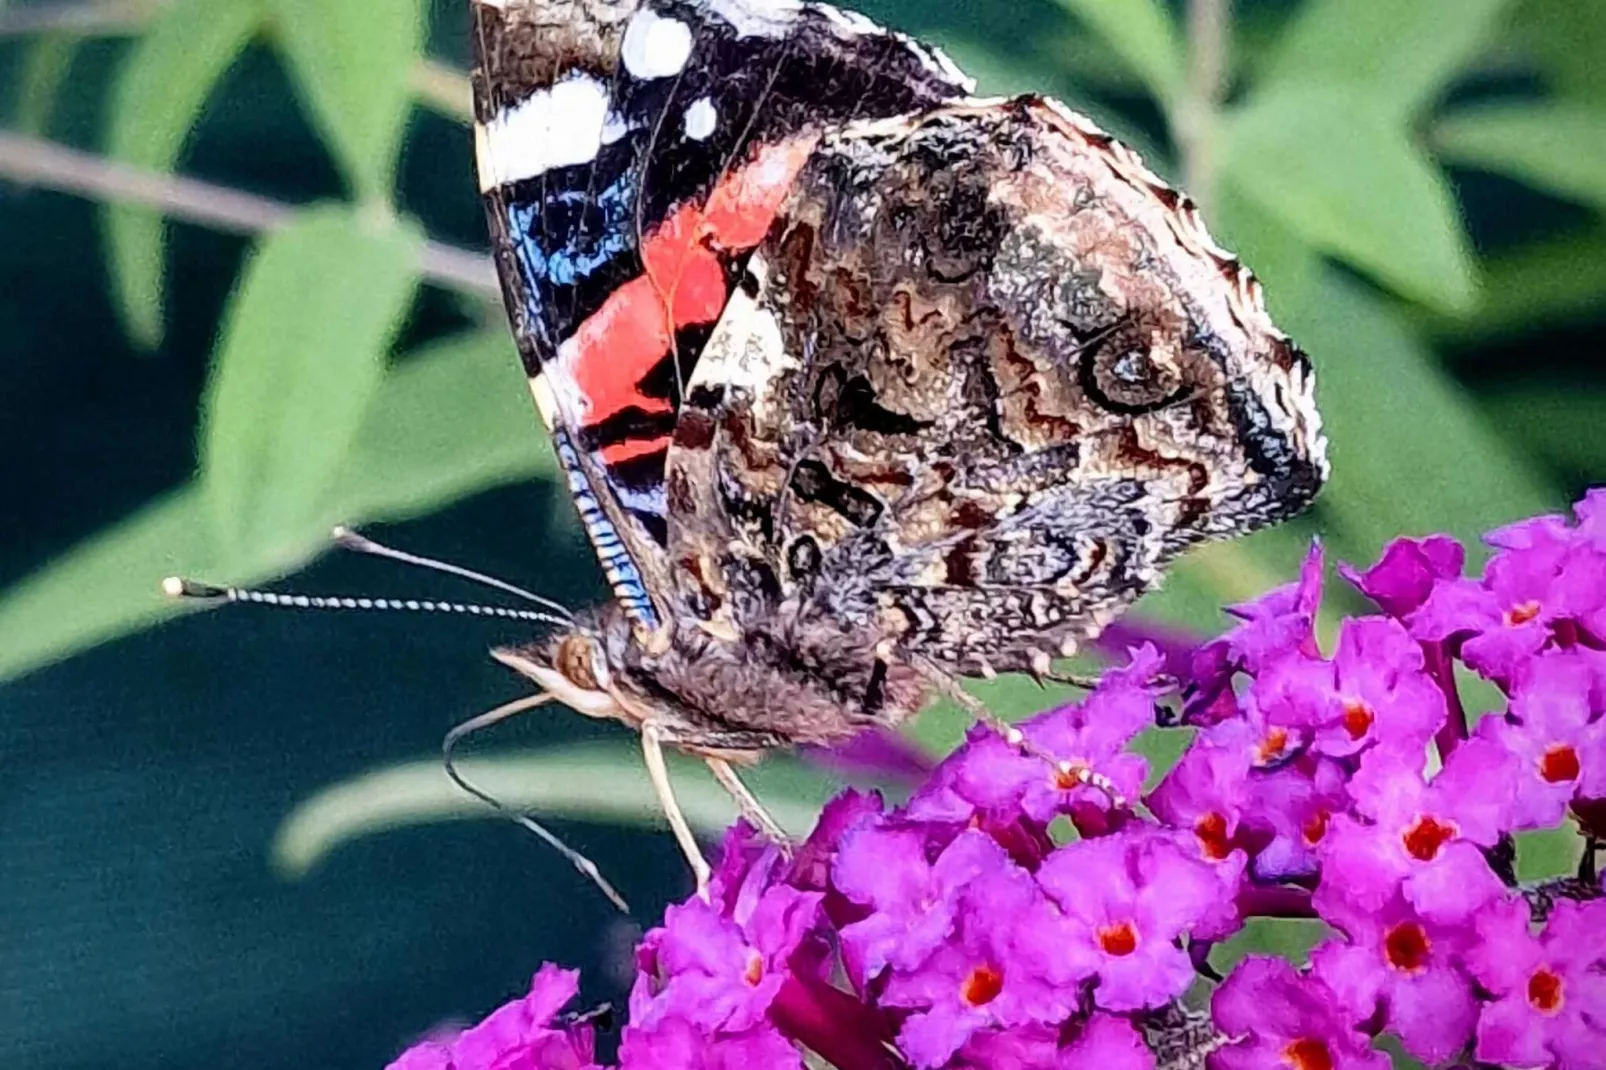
(1025, 913)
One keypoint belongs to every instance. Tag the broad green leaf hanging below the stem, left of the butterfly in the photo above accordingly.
(303, 351)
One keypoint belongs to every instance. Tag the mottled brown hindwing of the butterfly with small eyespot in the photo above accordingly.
(985, 378)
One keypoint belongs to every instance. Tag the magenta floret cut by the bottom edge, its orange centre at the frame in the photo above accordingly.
(1284, 1019)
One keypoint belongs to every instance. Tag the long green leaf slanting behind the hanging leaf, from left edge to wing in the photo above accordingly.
(444, 425)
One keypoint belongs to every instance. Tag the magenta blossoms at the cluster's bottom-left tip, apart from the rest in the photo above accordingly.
(520, 1035)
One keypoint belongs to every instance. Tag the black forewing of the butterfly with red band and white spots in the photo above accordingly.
(632, 155)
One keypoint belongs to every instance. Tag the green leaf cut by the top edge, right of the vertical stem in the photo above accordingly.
(1401, 52)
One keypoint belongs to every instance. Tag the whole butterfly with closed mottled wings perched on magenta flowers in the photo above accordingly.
(860, 383)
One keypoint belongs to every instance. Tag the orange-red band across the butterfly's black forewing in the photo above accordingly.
(682, 285)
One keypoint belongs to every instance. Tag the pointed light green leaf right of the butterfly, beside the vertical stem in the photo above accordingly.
(1340, 173)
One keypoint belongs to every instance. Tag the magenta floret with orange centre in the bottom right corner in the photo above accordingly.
(1549, 992)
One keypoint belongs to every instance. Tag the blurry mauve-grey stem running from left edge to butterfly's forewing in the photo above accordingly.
(52, 166)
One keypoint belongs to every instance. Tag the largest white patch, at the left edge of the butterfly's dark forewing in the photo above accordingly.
(553, 128)
